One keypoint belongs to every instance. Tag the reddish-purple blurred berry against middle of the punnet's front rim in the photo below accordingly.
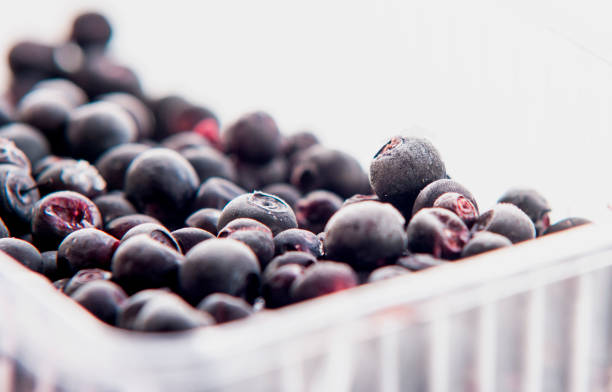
(322, 278)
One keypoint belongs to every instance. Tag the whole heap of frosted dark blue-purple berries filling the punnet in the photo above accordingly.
(150, 217)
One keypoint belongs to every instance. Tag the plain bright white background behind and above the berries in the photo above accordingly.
(511, 92)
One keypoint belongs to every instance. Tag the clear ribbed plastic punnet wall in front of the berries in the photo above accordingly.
(533, 317)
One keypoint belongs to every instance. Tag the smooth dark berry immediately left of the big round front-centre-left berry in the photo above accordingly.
(140, 263)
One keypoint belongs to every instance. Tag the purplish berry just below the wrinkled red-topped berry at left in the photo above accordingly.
(84, 249)
